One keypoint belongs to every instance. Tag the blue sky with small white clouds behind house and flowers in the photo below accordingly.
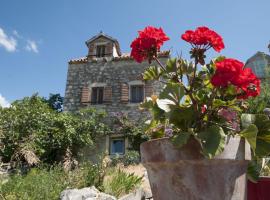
(37, 38)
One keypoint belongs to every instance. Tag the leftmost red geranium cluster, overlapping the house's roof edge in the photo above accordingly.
(148, 43)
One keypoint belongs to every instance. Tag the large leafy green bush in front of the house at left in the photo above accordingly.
(31, 131)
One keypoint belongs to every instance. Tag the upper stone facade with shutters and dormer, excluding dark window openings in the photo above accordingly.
(116, 73)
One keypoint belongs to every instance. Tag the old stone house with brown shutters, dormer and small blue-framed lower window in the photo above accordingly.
(110, 80)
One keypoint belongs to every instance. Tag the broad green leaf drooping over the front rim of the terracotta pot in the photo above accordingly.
(213, 141)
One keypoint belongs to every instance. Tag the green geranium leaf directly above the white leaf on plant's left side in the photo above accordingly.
(173, 92)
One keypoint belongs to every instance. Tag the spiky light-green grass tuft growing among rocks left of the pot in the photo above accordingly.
(121, 183)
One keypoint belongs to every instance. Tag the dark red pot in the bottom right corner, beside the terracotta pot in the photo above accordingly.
(260, 190)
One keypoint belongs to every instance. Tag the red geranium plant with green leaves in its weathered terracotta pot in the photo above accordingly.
(202, 137)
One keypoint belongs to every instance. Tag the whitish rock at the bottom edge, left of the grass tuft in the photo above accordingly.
(90, 193)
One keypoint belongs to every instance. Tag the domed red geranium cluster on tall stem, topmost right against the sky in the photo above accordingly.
(204, 36)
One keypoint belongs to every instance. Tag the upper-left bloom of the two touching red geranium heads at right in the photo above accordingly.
(227, 71)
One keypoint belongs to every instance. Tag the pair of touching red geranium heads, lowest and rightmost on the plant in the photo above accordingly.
(231, 71)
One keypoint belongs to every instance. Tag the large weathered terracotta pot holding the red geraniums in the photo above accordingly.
(185, 174)
